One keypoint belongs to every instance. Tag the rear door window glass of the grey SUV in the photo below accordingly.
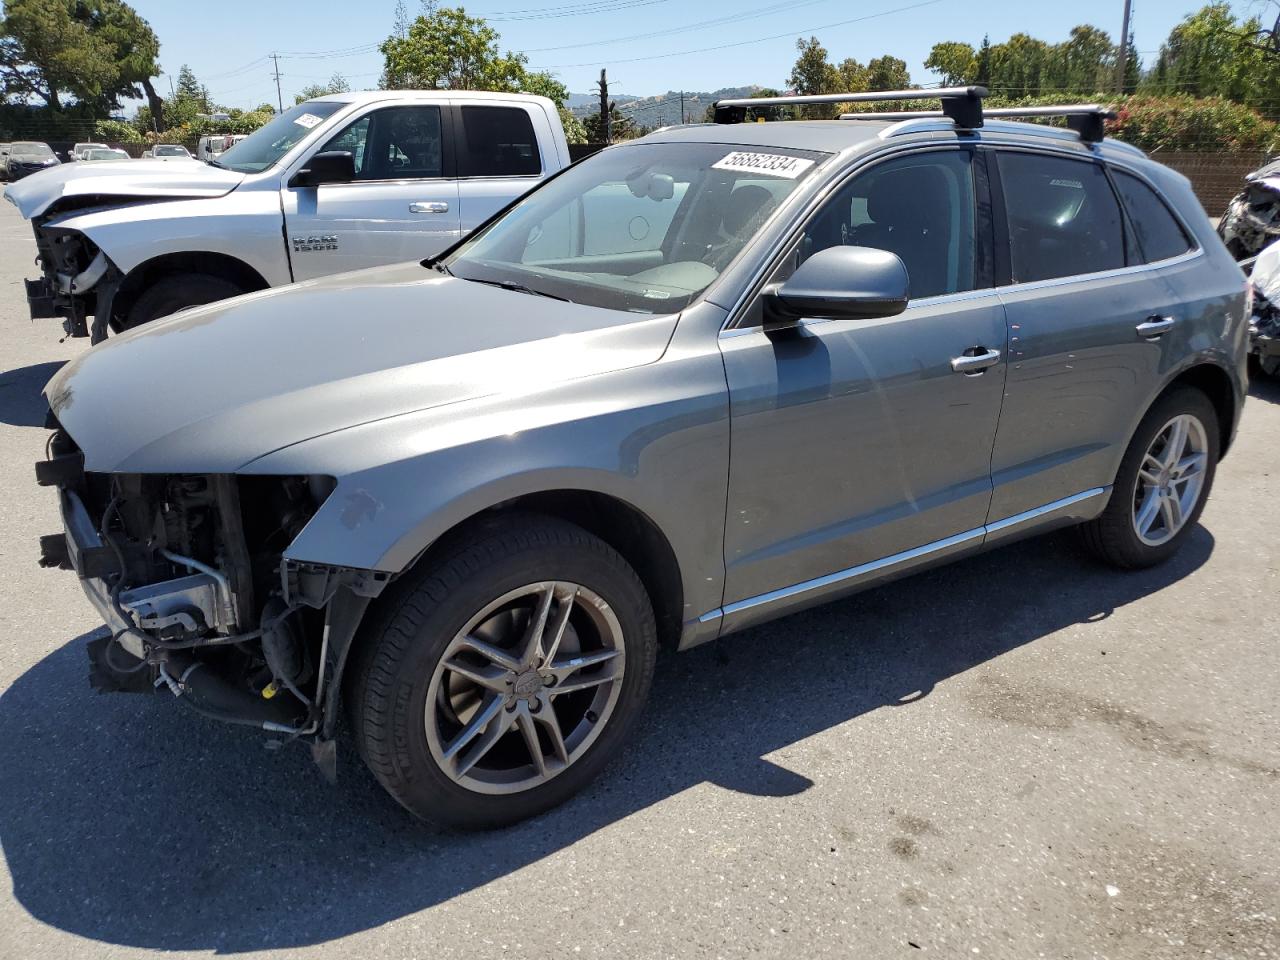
(1063, 216)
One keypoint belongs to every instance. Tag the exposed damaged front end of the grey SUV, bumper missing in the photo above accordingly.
(190, 575)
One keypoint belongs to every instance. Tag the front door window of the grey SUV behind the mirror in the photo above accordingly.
(920, 207)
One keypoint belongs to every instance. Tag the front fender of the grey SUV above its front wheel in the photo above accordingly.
(653, 437)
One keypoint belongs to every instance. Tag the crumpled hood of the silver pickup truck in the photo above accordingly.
(138, 180)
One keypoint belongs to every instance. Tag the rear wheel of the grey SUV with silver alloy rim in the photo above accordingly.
(1163, 483)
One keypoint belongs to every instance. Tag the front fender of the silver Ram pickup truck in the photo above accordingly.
(246, 226)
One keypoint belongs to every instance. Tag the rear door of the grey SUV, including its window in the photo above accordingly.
(1090, 330)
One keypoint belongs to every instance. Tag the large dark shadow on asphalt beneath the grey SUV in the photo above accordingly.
(131, 821)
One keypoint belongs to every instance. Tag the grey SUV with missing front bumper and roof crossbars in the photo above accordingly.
(697, 382)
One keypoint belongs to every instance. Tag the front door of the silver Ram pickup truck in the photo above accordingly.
(403, 205)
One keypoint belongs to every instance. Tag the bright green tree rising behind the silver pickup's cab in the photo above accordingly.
(447, 49)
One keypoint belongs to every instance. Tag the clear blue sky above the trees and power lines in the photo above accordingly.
(719, 44)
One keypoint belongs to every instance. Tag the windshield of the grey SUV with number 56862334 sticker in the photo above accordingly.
(644, 228)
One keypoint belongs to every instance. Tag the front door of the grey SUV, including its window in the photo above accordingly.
(858, 441)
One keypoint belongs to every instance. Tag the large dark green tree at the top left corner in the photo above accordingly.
(93, 52)
